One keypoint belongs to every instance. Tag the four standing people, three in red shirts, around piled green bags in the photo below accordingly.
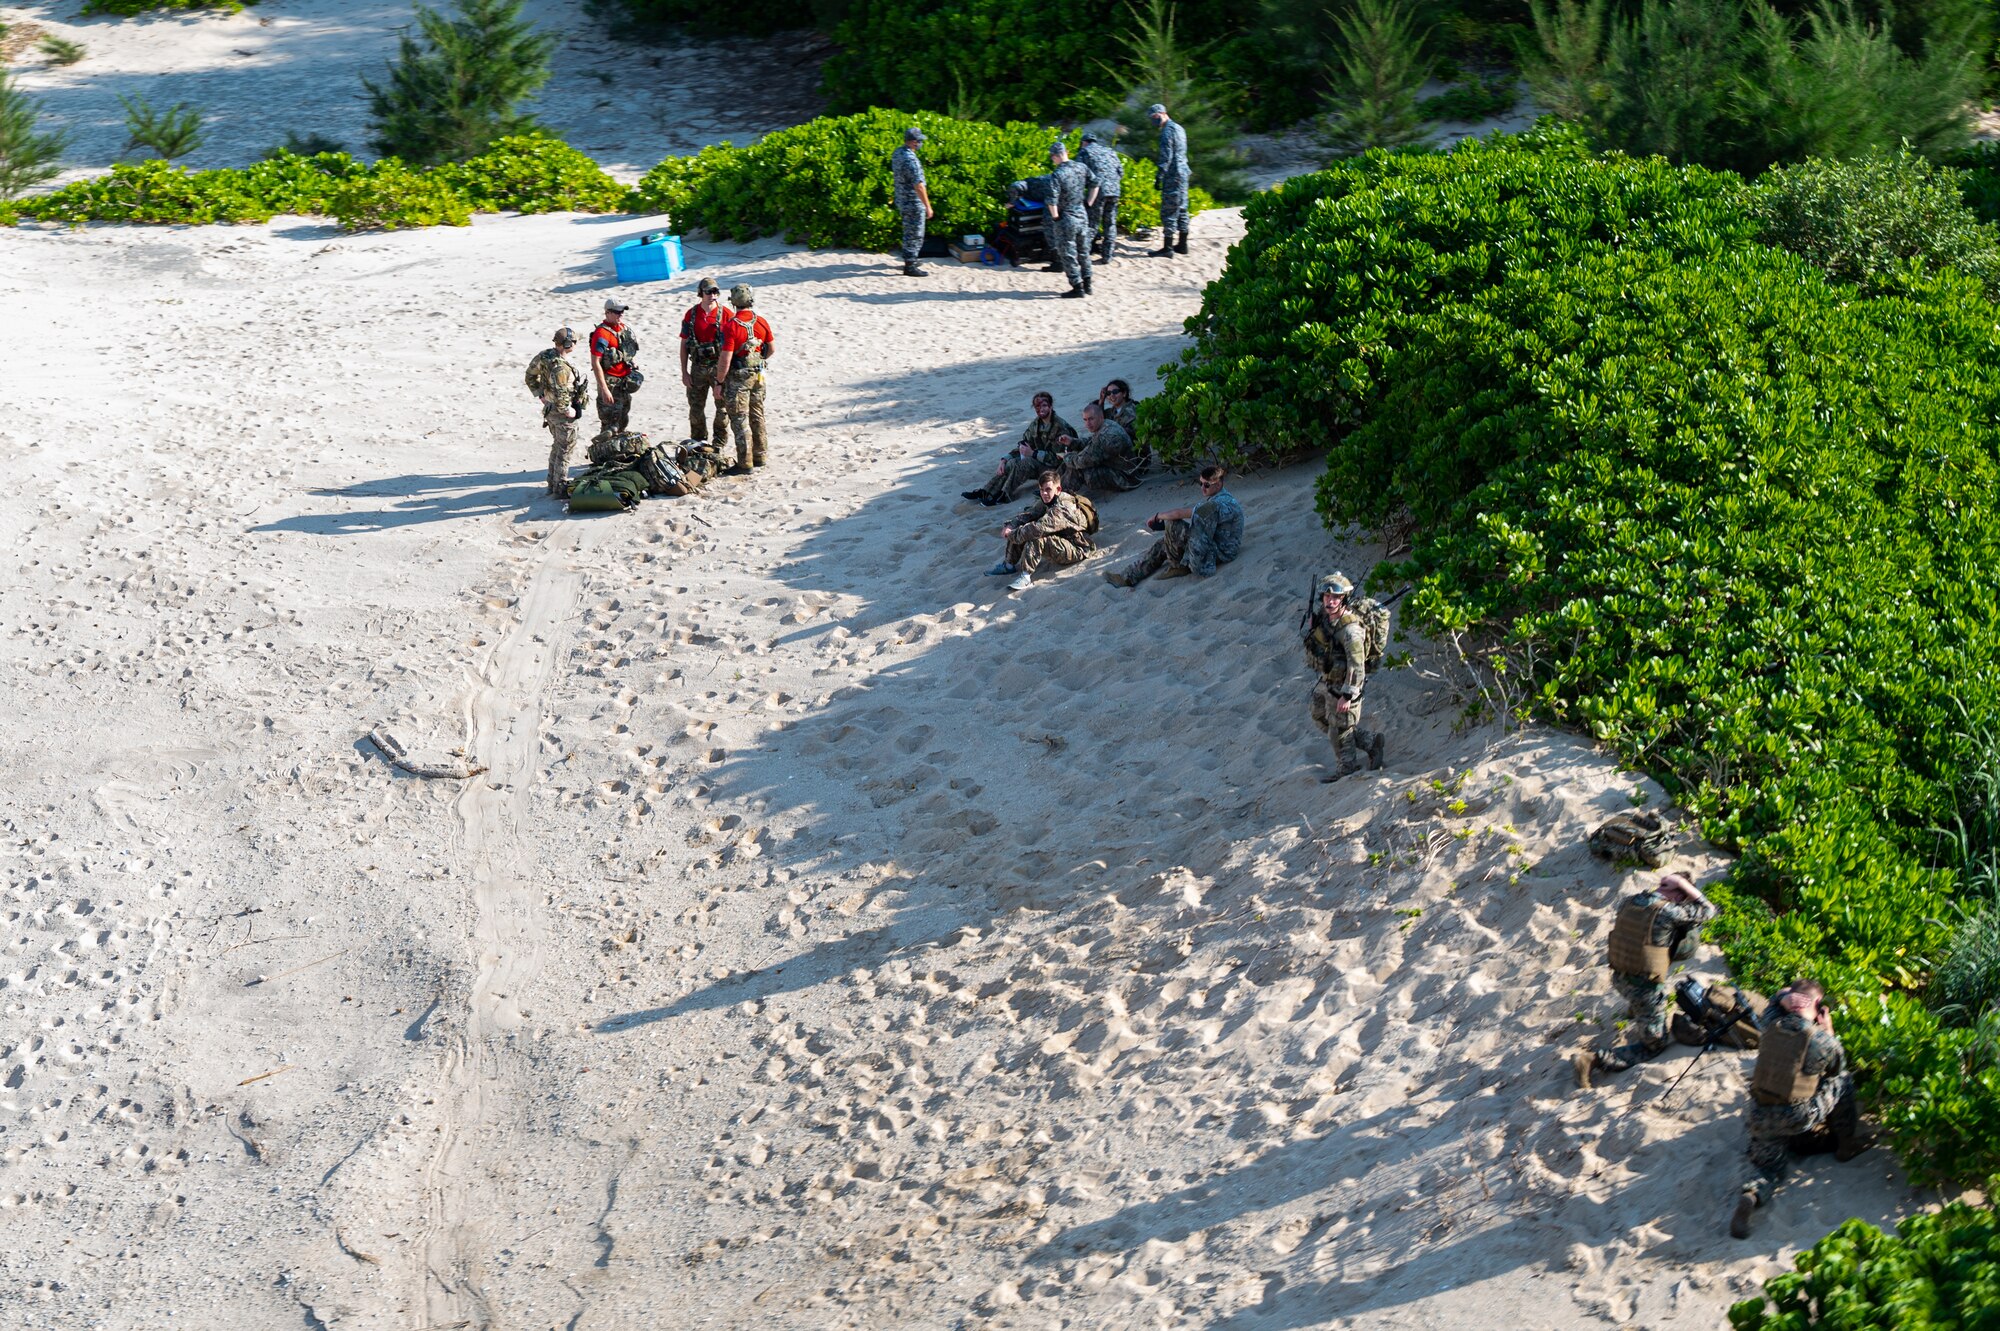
(723, 357)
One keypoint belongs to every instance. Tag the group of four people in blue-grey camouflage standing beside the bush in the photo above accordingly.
(1083, 201)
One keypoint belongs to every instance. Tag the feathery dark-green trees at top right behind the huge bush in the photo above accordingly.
(1747, 85)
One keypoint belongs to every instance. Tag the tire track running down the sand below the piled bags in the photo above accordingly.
(505, 716)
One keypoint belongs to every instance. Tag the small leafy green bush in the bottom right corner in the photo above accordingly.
(1939, 1272)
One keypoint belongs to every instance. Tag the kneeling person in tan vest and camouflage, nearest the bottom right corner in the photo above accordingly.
(1803, 1096)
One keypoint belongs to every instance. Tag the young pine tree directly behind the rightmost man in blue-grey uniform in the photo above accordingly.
(1159, 69)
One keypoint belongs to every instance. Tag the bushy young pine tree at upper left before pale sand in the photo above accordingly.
(451, 97)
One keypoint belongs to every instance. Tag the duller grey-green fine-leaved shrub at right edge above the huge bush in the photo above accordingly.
(1877, 221)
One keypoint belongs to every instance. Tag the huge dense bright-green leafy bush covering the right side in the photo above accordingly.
(1733, 519)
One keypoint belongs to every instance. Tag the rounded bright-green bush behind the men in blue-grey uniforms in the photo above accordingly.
(827, 183)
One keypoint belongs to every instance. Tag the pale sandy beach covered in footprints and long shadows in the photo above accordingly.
(833, 938)
